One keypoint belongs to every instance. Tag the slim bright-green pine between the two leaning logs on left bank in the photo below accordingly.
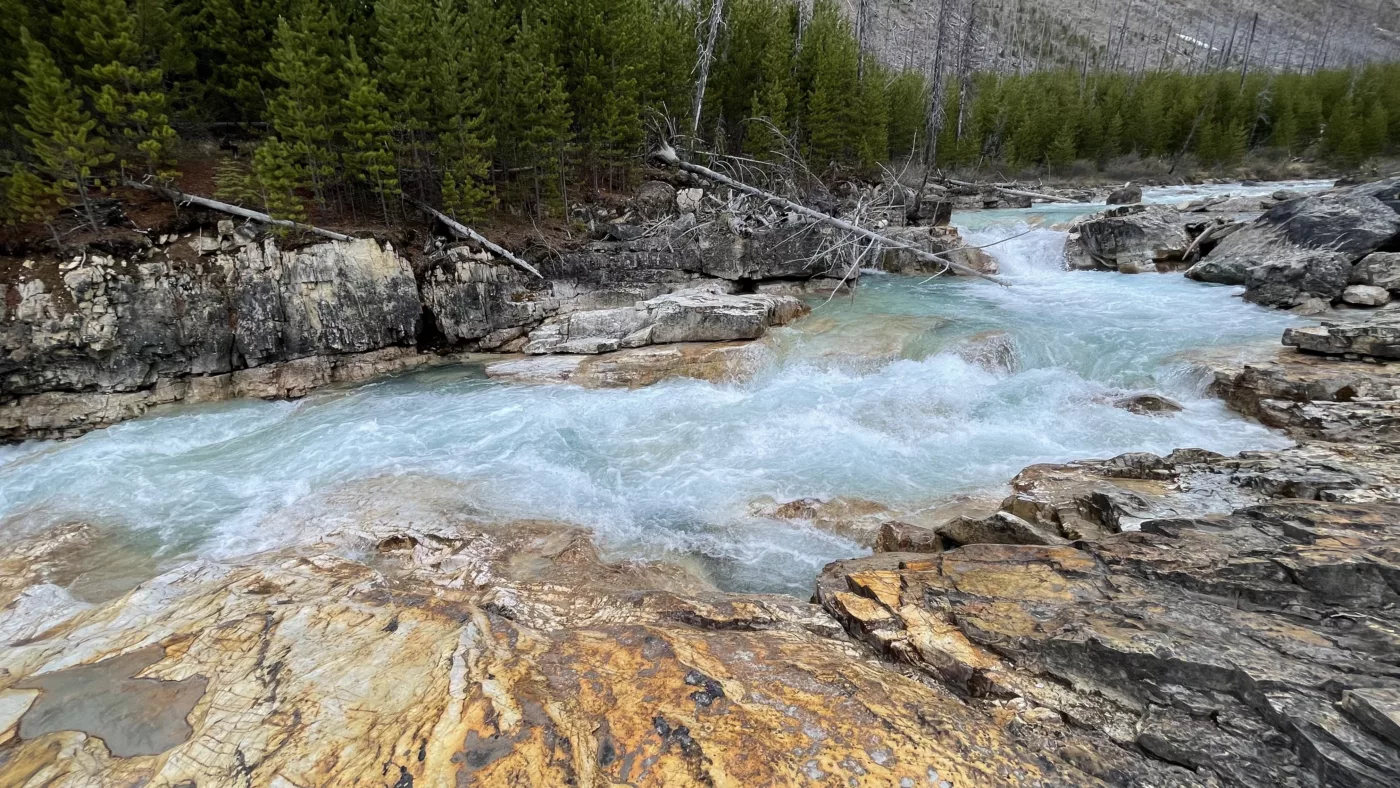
(369, 145)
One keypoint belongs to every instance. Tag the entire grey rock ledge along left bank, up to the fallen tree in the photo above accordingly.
(103, 338)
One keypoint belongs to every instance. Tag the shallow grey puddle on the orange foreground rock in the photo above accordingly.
(134, 717)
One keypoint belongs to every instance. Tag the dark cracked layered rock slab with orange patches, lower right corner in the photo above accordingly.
(1164, 639)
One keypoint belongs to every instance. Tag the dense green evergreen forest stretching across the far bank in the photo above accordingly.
(523, 106)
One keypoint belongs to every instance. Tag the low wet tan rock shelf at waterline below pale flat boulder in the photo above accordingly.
(726, 362)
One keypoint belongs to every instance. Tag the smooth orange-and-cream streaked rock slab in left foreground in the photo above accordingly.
(493, 656)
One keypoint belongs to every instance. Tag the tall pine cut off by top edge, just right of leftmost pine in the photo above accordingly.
(129, 97)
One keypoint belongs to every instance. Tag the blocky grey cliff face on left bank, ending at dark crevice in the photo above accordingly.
(100, 339)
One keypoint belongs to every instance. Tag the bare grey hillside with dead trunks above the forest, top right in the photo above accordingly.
(1137, 34)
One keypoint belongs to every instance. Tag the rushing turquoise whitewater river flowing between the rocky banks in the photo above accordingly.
(864, 398)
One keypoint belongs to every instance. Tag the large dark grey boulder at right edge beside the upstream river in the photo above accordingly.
(1304, 253)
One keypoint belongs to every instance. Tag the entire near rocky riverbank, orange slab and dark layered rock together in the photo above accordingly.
(1191, 619)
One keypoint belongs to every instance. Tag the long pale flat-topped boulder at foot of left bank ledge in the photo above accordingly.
(684, 317)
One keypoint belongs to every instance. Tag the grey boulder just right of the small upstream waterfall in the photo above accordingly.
(1129, 240)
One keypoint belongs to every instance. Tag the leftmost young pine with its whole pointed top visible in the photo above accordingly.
(62, 136)
